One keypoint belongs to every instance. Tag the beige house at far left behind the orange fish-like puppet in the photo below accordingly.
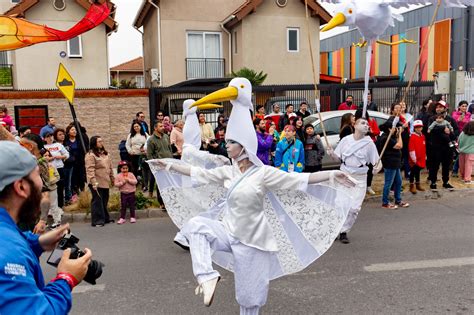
(36, 67)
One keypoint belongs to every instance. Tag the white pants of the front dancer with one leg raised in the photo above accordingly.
(251, 266)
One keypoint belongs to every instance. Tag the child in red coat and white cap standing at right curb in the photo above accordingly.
(417, 156)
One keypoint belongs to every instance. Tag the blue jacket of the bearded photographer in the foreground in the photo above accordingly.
(22, 289)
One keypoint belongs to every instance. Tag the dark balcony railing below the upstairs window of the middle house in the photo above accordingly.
(204, 68)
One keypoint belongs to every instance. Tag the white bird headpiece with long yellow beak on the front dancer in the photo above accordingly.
(240, 127)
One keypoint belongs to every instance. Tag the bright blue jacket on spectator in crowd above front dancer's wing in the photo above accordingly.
(294, 154)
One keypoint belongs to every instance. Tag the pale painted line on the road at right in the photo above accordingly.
(421, 264)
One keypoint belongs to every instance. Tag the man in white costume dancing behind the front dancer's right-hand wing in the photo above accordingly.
(355, 152)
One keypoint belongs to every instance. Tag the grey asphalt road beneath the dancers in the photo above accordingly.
(418, 260)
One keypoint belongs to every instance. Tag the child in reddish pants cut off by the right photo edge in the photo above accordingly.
(466, 152)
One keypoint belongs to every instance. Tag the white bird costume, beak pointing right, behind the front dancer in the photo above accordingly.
(192, 139)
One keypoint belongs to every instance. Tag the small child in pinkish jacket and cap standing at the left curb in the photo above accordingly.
(127, 184)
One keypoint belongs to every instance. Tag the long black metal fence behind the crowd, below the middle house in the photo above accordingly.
(170, 100)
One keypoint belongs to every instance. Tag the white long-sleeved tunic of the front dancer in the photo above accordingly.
(244, 217)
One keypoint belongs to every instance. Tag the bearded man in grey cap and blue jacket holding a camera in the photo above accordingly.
(22, 287)
